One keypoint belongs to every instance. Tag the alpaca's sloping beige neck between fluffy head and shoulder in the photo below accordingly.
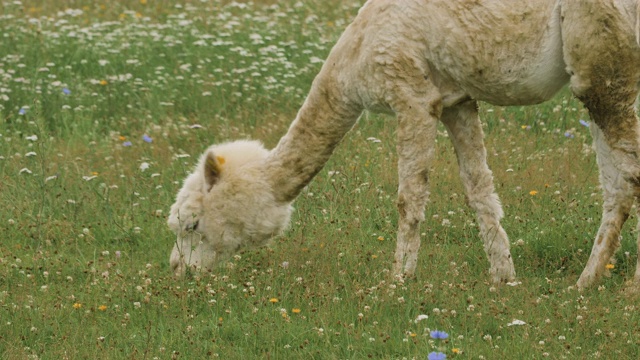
(321, 123)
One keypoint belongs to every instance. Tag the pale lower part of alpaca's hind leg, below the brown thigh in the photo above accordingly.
(618, 198)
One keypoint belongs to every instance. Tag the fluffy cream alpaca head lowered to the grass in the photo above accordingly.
(225, 204)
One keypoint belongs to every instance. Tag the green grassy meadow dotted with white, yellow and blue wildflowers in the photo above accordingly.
(106, 106)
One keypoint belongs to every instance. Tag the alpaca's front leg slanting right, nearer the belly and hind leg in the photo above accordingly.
(465, 130)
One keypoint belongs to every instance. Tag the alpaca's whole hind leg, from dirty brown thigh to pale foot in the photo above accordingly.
(604, 76)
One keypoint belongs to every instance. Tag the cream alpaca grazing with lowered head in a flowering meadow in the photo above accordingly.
(430, 61)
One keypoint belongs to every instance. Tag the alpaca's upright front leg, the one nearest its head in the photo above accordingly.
(416, 140)
